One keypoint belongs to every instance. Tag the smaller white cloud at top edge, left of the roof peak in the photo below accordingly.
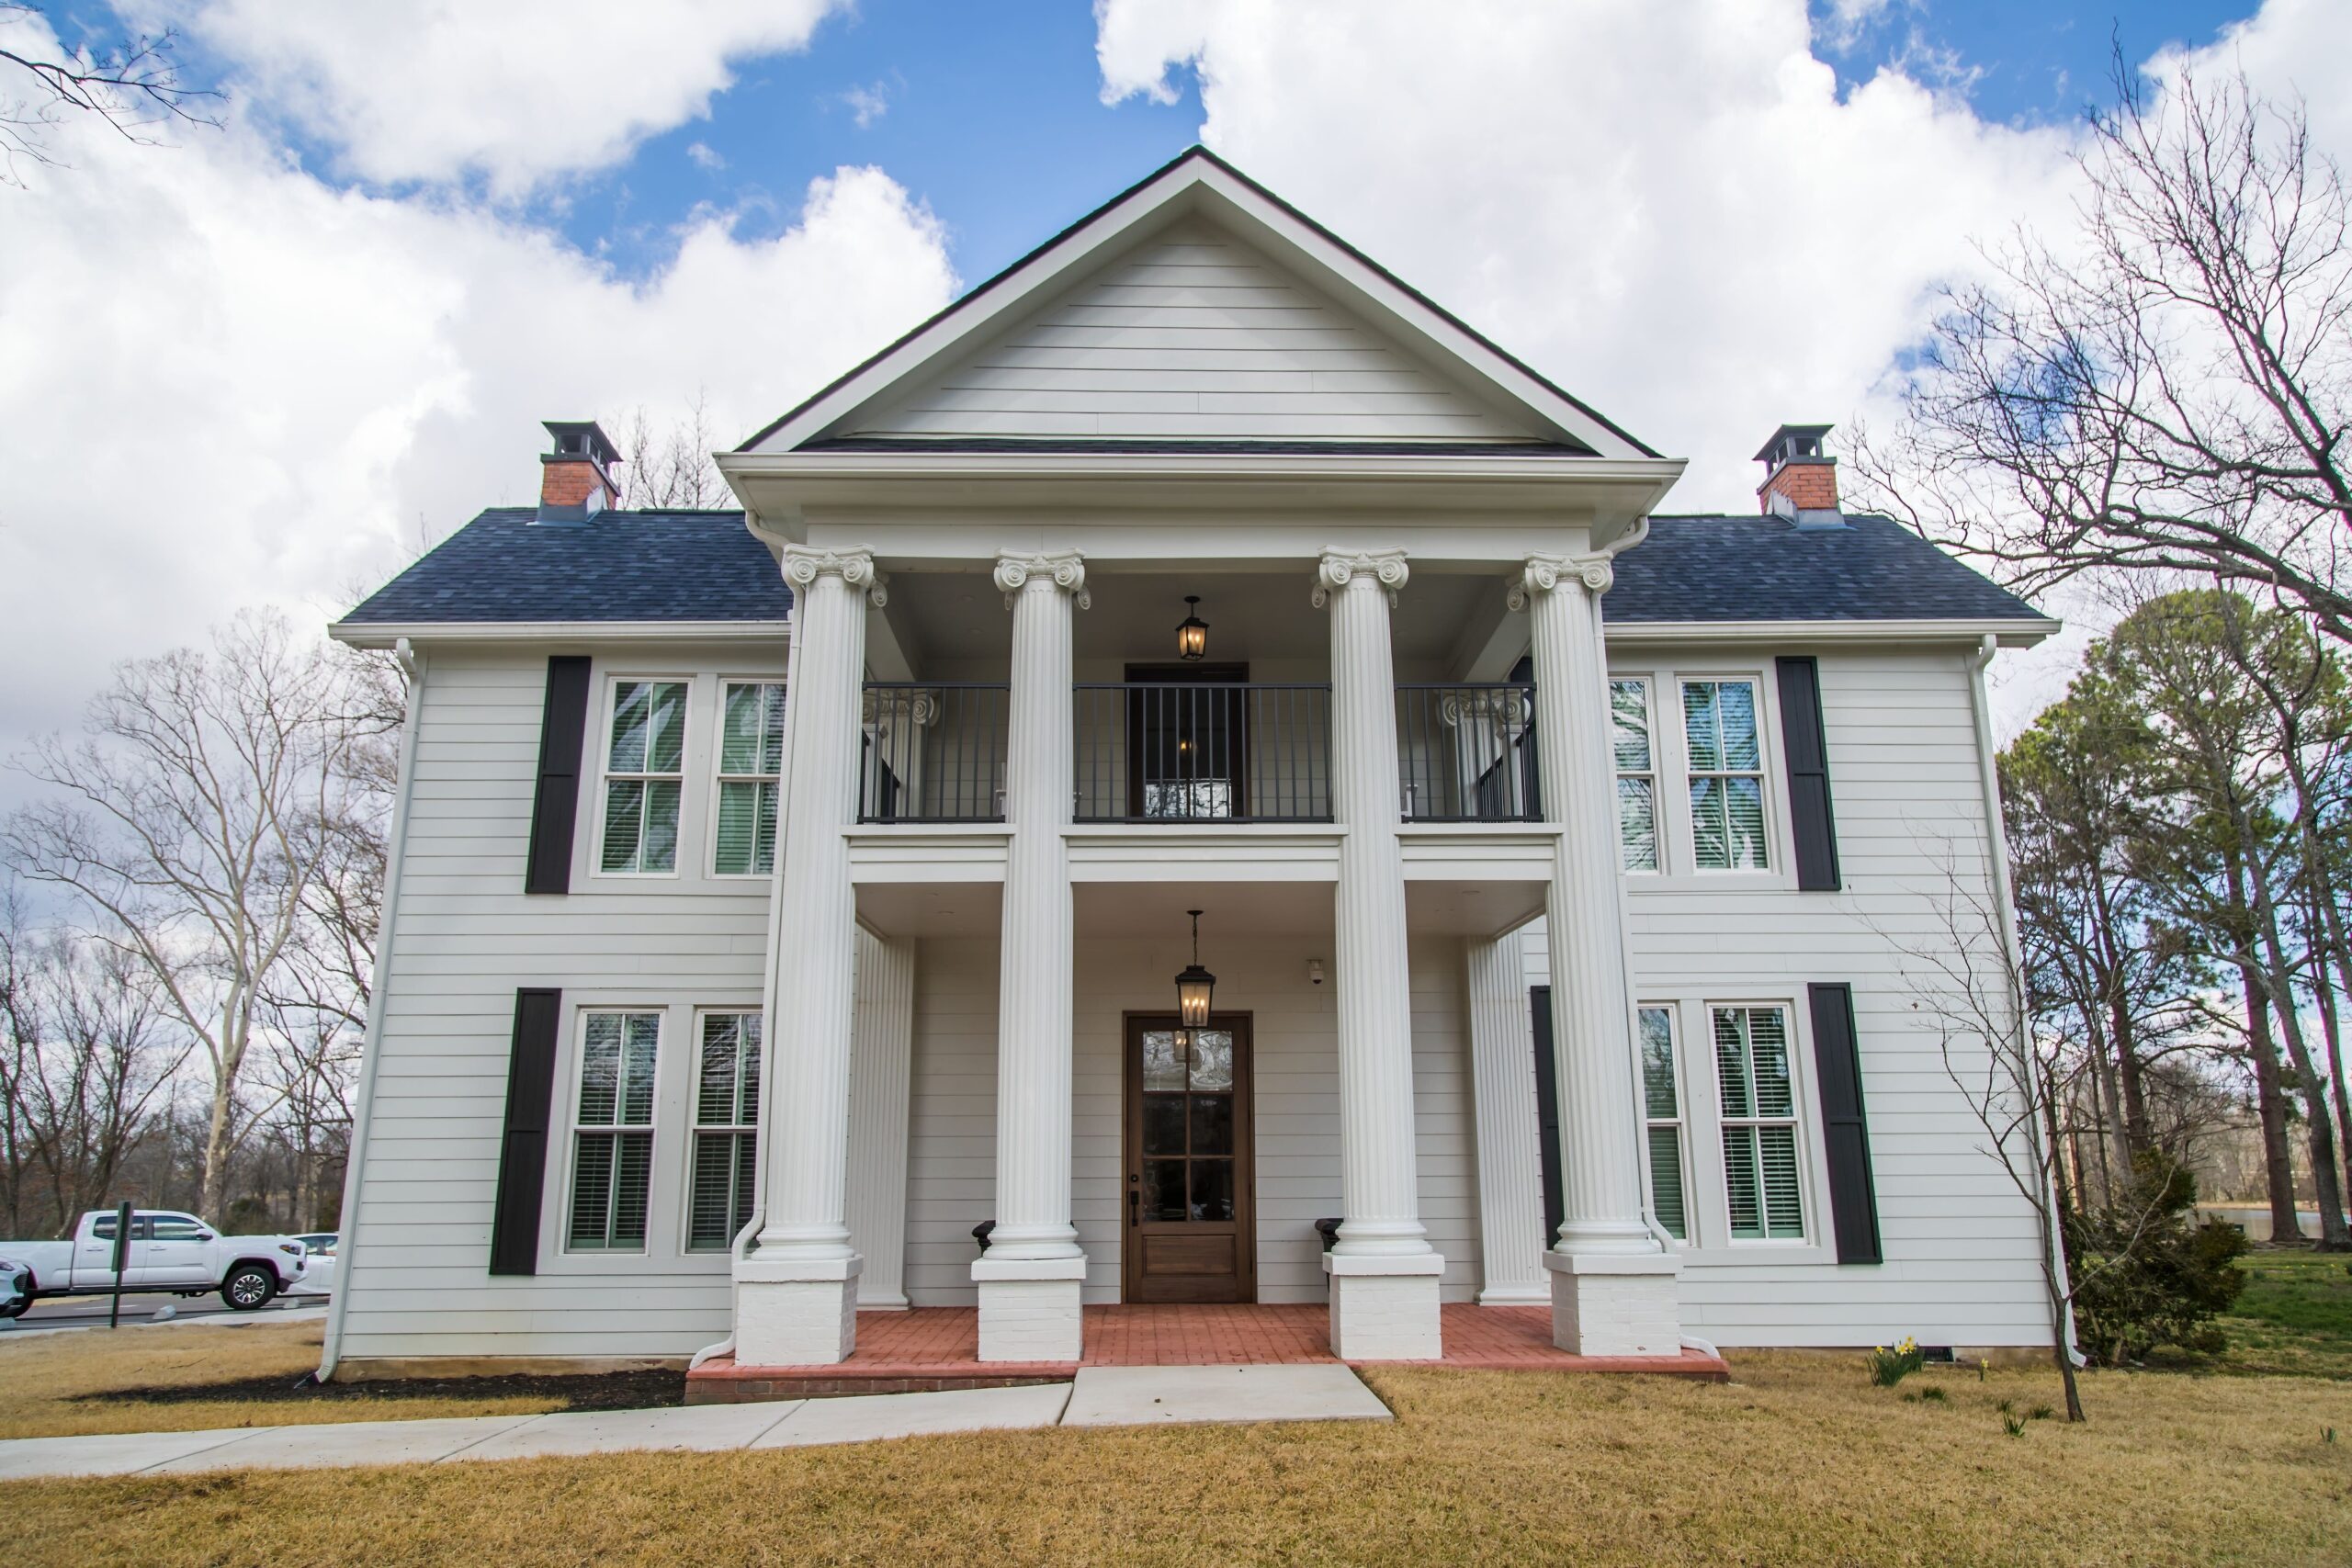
(512, 91)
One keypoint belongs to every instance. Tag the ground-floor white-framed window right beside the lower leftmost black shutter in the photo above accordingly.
(613, 1132)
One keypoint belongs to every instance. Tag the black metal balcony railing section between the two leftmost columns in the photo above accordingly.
(935, 753)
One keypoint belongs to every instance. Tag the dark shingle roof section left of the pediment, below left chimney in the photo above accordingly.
(613, 568)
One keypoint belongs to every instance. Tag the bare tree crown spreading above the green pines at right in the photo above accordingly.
(2172, 387)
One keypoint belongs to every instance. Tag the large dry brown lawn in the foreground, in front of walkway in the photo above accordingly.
(1800, 1461)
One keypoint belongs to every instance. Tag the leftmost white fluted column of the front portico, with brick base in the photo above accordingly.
(796, 1287)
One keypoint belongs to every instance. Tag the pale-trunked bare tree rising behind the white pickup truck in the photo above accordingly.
(196, 826)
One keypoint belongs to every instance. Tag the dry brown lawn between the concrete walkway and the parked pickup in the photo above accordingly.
(44, 1374)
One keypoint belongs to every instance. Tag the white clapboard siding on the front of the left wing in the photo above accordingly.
(465, 942)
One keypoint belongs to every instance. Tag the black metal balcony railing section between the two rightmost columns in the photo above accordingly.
(1469, 753)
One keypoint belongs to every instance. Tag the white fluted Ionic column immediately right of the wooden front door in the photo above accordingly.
(1384, 1273)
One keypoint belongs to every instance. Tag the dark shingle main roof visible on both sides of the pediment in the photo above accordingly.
(709, 568)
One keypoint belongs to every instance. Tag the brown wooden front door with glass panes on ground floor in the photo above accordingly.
(1191, 1200)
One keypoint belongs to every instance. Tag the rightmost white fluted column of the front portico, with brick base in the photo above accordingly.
(1612, 1282)
